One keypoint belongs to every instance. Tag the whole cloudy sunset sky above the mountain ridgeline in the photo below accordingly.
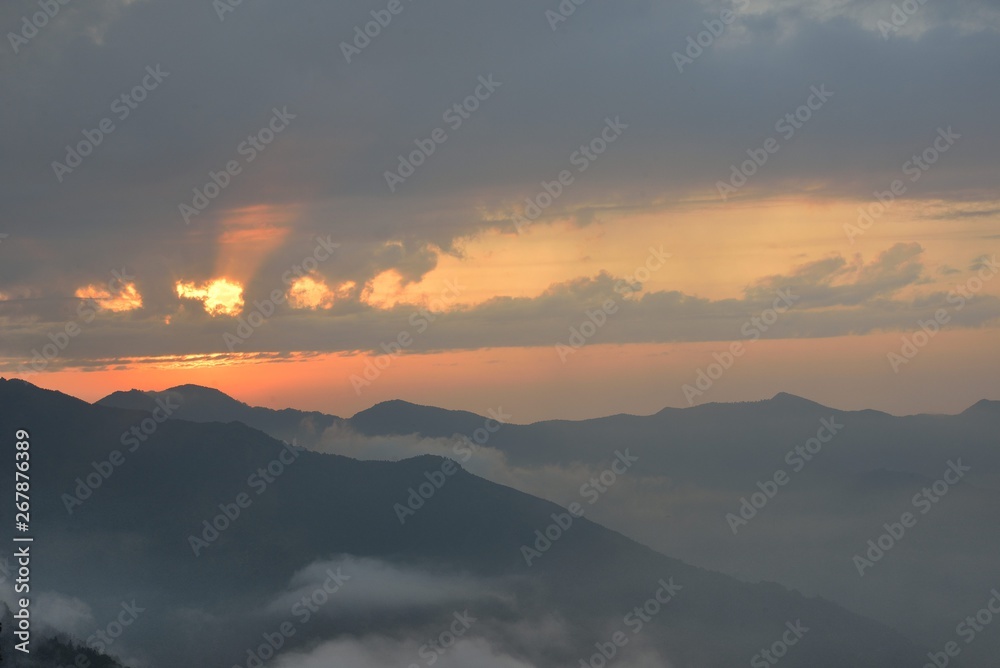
(564, 210)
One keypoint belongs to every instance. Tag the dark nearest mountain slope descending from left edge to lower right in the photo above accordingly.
(141, 509)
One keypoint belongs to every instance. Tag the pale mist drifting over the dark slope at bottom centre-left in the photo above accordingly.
(382, 614)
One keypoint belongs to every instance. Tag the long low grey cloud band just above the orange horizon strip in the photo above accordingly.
(834, 296)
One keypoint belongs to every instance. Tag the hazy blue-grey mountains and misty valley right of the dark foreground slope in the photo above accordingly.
(696, 464)
